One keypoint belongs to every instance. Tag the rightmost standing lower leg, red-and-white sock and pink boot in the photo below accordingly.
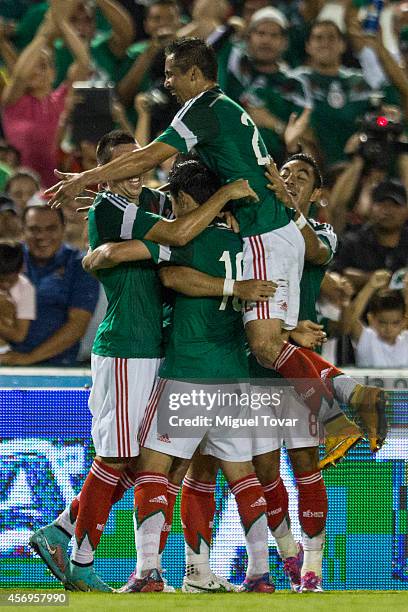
(312, 500)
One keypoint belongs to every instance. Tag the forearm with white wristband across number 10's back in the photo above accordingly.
(194, 283)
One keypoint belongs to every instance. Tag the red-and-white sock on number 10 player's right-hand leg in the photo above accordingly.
(251, 503)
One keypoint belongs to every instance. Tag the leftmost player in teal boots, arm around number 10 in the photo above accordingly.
(125, 360)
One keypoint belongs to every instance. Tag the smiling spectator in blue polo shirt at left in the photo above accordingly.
(66, 295)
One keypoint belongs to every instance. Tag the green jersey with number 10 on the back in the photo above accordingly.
(207, 339)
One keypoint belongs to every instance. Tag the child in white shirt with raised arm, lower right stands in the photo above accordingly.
(384, 342)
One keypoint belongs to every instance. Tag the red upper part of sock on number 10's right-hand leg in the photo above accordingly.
(250, 499)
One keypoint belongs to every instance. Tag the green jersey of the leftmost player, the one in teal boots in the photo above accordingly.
(132, 326)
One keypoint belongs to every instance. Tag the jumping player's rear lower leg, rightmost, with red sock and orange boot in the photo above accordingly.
(367, 403)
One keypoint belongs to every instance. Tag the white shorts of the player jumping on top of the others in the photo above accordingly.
(276, 256)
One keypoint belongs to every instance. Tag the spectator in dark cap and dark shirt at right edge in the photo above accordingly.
(380, 244)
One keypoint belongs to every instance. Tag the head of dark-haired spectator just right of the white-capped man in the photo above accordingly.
(326, 44)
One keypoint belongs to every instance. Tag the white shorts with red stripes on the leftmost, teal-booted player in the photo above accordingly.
(120, 392)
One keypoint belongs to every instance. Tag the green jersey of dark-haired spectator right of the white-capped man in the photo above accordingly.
(338, 102)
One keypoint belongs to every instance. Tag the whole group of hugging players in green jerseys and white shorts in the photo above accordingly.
(243, 313)
